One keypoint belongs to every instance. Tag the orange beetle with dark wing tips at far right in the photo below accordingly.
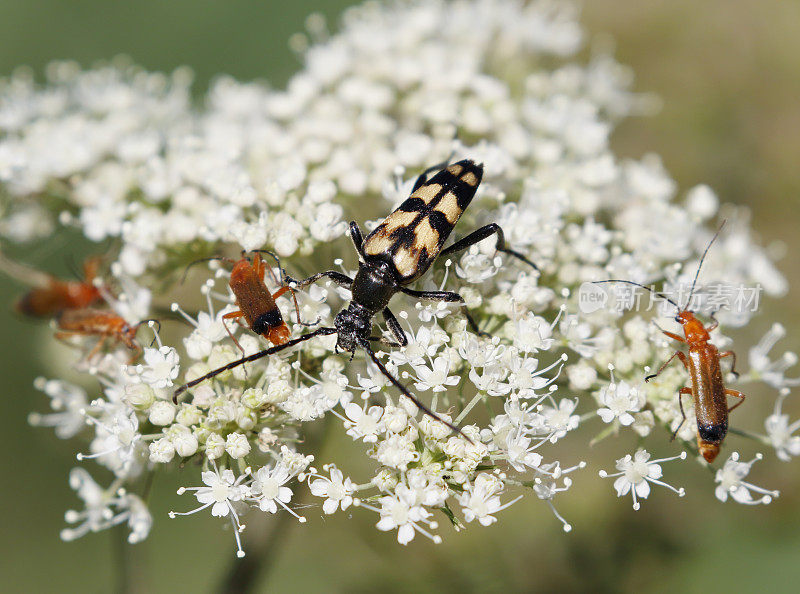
(703, 364)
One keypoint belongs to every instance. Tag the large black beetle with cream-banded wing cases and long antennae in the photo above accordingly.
(395, 254)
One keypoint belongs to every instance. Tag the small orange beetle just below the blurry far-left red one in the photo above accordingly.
(99, 322)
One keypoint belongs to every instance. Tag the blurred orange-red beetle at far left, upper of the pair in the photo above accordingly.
(49, 295)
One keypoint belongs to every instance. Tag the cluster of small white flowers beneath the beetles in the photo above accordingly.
(121, 153)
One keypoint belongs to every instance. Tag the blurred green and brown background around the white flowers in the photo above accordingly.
(729, 75)
